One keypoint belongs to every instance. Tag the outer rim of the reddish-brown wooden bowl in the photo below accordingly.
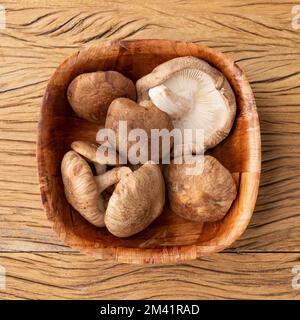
(170, 254)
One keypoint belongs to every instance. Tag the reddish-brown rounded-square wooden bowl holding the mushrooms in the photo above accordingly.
(170, 238)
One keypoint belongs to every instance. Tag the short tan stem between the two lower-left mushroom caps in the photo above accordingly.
(111, 177)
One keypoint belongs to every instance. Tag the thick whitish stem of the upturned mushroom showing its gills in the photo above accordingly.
(169, 102)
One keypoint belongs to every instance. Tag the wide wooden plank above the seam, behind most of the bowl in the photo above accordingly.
(258, 35)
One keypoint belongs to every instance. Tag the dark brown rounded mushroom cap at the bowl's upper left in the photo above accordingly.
(90, 94)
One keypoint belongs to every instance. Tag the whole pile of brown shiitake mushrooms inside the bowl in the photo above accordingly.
(182, 93)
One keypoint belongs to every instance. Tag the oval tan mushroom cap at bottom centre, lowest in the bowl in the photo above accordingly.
(138, 199)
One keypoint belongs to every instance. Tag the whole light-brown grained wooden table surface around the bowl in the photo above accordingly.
(260, 37)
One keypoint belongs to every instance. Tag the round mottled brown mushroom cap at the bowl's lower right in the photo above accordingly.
(205, 197)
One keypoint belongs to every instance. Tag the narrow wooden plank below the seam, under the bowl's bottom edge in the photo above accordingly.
(70, 276)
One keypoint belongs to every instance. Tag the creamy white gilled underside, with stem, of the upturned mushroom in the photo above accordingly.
(192, 101)
